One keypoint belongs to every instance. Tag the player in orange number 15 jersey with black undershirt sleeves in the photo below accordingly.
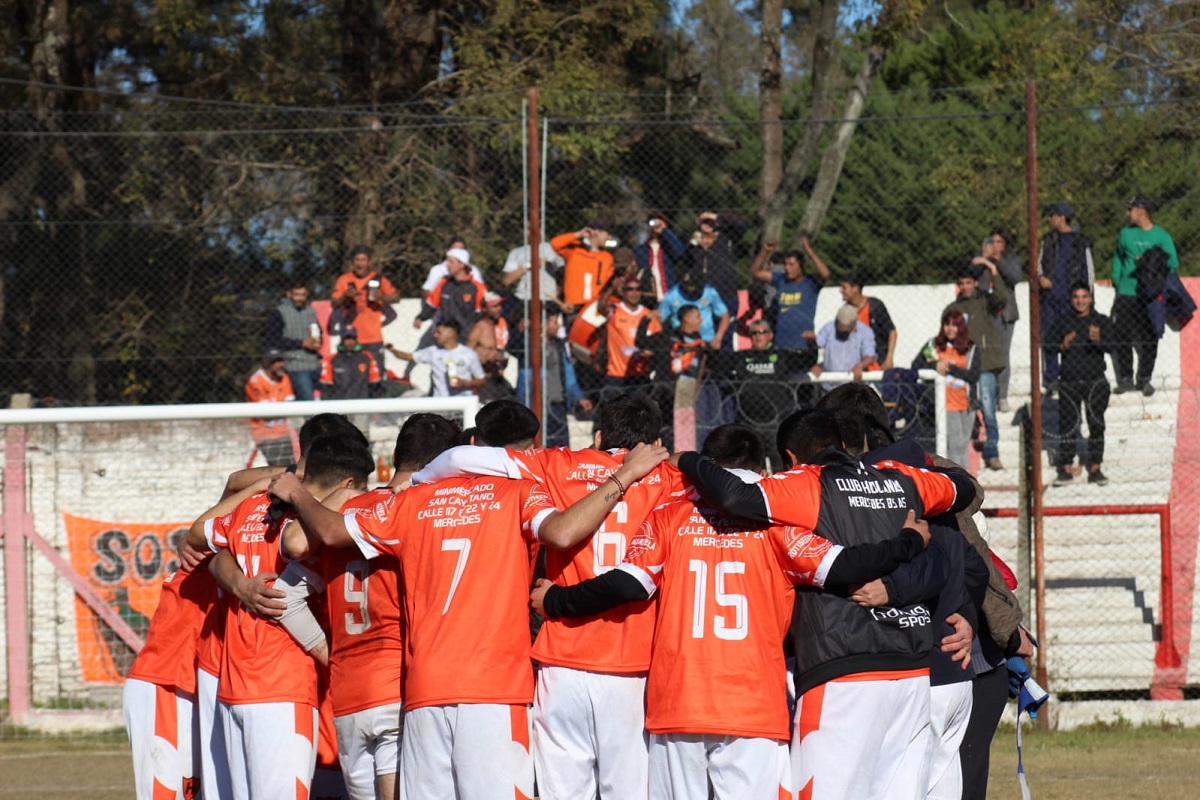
(725, 591)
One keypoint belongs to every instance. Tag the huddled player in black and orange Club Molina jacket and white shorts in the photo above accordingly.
(863, 718)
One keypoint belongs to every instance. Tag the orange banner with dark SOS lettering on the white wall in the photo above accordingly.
(127, 564)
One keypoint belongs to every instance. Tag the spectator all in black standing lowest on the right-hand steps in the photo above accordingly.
(1084, 338)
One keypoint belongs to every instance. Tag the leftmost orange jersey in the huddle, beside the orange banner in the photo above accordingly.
(169, 658)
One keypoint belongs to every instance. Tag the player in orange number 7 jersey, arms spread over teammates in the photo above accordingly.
(464, 551)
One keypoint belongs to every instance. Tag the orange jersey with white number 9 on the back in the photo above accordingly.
(367, 630)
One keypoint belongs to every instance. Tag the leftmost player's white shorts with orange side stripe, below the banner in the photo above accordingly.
(163, 726)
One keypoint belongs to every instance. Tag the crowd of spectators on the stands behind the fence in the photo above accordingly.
(663, 316)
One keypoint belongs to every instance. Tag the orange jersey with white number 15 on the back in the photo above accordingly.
(725, 603)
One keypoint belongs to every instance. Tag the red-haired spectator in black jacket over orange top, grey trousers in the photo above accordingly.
(955, 356)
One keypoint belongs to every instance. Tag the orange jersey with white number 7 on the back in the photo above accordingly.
(464, 550)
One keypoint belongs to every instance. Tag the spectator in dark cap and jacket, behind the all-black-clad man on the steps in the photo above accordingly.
(1065, 260)
